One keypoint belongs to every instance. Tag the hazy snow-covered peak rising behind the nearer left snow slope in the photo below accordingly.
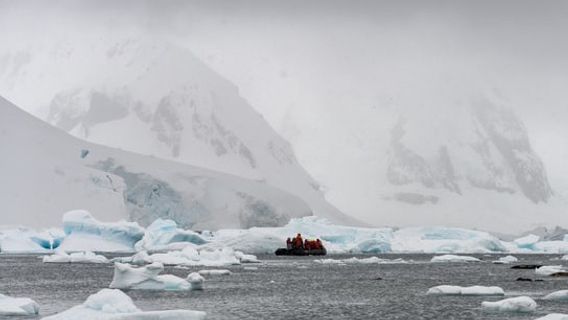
(155, 98)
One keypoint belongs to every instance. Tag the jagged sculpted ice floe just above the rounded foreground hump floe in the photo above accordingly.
(147, 278)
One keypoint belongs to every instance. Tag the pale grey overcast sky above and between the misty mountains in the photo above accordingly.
(323, 72)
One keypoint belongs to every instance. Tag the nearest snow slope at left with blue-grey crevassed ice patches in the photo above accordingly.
(46, 172)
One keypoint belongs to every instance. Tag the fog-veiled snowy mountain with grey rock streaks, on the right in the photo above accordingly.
(466, 164)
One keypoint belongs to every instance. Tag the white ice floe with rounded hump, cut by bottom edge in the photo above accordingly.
(112, 304)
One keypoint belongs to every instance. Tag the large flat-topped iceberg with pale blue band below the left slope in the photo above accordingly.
(85, 233)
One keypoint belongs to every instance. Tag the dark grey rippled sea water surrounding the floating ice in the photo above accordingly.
(297, 288)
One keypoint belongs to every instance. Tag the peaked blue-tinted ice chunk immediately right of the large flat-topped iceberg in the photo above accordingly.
(164, 234)
